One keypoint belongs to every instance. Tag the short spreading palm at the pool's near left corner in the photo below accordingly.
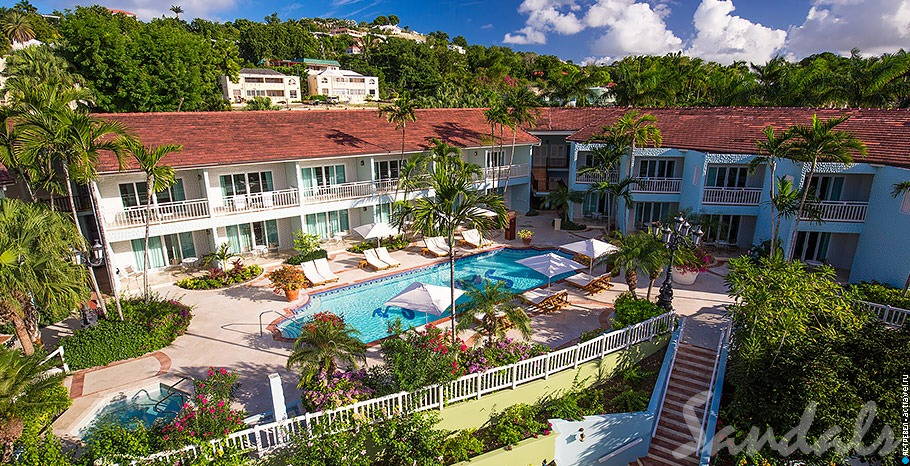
(324, 342)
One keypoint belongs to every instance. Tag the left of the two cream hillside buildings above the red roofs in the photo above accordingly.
(261, 82)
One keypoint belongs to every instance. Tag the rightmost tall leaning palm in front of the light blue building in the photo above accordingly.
(820, 142)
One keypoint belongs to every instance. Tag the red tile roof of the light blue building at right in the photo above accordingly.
(886, 133)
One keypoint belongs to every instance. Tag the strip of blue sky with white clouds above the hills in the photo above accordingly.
(590, 30)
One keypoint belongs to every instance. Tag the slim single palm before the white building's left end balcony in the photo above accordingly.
(157, 178)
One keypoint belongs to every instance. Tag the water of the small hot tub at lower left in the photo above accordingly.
(144, 406)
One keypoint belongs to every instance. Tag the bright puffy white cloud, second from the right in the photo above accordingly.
(723, 37)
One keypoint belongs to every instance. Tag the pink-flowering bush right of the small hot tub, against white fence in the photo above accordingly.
(204, 419)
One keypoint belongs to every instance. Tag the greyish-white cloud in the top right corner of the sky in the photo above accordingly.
(874, 26)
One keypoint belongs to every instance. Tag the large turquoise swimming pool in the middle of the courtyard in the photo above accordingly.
(361, 305)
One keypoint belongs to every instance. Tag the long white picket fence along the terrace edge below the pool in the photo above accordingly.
(267, 437)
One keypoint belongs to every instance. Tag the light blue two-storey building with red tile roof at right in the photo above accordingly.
(703, 168)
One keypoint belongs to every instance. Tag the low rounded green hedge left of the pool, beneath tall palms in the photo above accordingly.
(147, 326)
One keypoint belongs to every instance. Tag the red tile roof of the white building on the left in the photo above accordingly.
(224, 138)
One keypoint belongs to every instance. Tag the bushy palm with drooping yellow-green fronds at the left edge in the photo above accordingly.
(36, 266)
